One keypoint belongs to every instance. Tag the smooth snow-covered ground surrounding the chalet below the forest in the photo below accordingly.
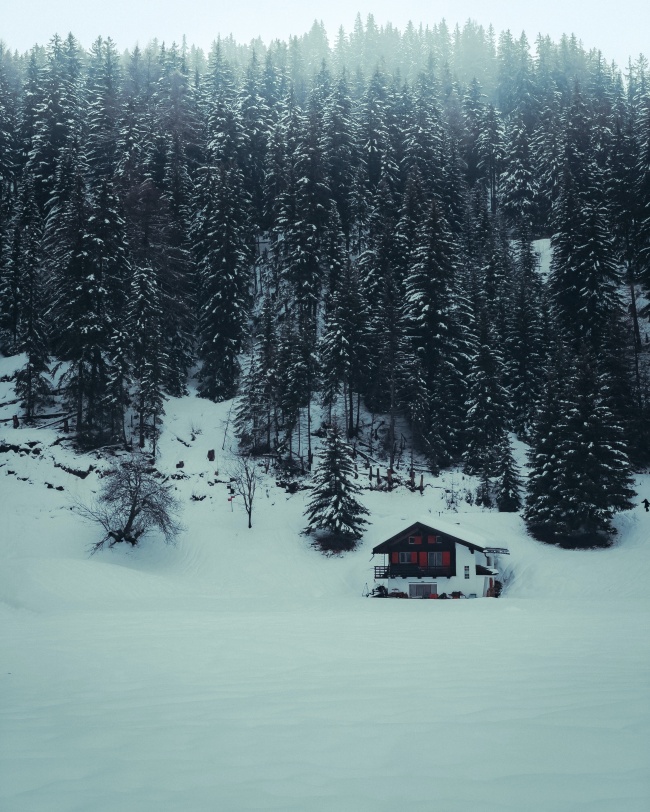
(242, 670)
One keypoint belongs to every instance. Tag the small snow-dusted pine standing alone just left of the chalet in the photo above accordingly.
(334, 509)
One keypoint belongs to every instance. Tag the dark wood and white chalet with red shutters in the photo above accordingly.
(422, 561)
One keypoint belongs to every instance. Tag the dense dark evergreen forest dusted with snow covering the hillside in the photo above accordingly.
(352, 225)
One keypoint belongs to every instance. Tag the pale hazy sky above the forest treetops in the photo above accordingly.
(620, 29)
